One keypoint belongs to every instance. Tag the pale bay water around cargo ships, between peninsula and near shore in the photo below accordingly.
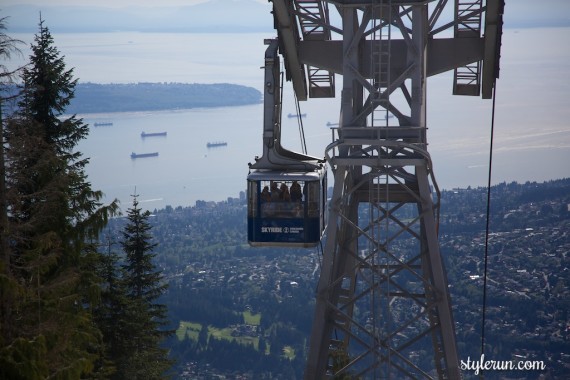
(185, 169)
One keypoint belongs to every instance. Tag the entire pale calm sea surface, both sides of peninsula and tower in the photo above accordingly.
(532, 134)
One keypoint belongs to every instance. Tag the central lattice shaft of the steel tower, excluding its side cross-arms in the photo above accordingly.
(382, 308)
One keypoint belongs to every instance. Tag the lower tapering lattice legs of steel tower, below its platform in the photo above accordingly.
(383, 307)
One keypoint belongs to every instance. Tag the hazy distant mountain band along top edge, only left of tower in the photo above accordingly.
(215, 16)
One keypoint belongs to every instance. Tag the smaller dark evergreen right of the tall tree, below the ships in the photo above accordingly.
(146, 318)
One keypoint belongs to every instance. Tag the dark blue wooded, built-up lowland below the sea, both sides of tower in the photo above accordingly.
(217, 283)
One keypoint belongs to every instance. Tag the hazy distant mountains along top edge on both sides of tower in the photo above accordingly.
(219, 16)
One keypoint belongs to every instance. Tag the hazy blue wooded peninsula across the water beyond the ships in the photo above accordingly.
(136, 97)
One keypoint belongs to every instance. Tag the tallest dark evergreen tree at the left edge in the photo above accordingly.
(52, 215)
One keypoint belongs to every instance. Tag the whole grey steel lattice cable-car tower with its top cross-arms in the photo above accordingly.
(383, 309)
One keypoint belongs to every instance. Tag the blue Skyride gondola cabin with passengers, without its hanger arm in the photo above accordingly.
(286, 208)
